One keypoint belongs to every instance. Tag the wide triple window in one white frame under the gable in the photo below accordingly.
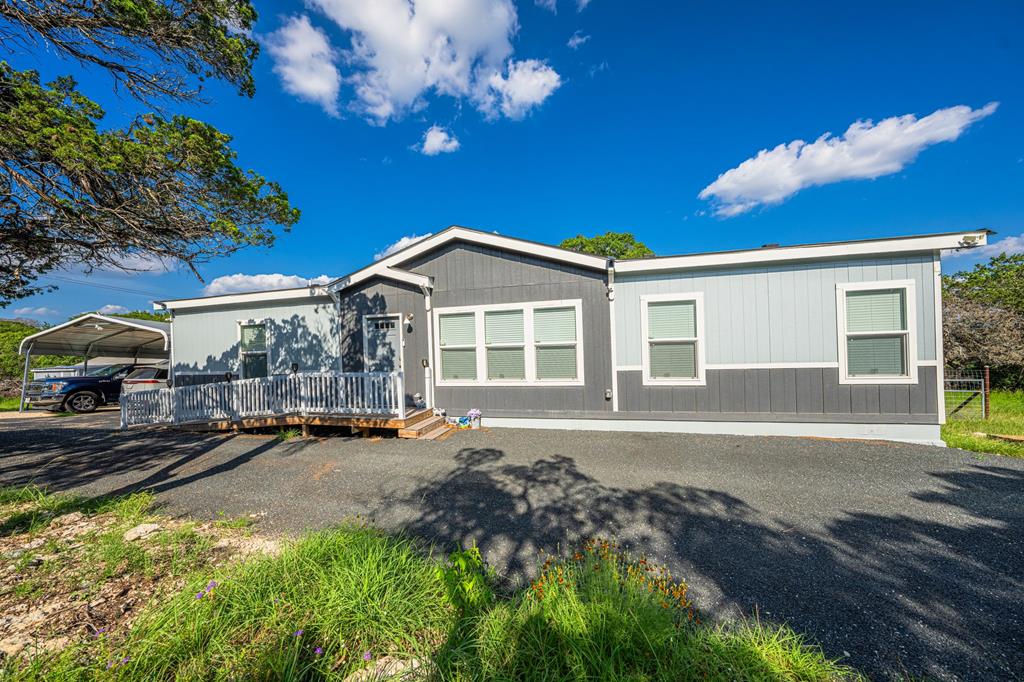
(513, 345)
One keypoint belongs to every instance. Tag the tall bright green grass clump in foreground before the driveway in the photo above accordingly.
(335, 600)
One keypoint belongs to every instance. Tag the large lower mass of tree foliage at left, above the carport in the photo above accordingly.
(162, 187)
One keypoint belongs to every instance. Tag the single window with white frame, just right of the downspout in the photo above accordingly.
(673, 329)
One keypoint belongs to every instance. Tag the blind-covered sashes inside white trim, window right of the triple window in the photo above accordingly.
(672, 340)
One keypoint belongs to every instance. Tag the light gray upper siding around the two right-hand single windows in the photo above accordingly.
(782, 314)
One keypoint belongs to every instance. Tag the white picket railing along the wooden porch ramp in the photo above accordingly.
(298, 395)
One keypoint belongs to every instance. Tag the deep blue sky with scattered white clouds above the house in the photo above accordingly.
(653, 106)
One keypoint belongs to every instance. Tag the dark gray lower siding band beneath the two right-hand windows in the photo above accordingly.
(784, 395)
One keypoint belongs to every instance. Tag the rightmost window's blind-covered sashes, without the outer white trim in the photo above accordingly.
(877, 333)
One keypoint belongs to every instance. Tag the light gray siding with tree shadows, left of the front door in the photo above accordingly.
(206, 340)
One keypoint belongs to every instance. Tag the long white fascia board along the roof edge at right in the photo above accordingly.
(813, 252)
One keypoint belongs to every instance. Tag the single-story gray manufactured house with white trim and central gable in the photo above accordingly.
(840, 339)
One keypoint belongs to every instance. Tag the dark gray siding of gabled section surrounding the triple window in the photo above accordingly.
(471, 275)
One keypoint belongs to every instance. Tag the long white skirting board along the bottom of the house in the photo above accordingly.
(927, 435)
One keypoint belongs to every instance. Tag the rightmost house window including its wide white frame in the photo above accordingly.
(877, 323)
